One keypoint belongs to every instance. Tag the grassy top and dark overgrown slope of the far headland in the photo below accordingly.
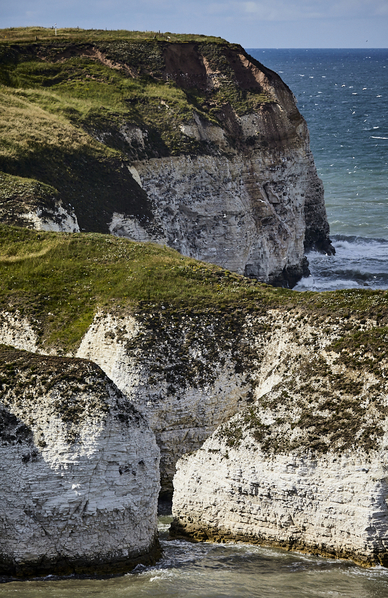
(77, 107)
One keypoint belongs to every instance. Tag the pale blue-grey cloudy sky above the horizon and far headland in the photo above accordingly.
(253, 24)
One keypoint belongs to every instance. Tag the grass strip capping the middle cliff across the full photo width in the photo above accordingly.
(61, 280)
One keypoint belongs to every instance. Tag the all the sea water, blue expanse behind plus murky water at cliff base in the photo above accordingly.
(343, 95)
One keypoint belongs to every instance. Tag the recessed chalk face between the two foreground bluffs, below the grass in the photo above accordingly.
(184, 382)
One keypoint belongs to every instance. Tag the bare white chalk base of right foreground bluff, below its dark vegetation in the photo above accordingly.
(333, 505)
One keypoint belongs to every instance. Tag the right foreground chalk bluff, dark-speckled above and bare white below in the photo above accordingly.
(304, 467)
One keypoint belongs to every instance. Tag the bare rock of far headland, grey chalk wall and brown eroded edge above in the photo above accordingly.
(251, 201)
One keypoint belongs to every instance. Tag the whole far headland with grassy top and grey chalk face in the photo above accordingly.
(195, 145)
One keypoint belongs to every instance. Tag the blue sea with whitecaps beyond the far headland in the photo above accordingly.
(343, 95)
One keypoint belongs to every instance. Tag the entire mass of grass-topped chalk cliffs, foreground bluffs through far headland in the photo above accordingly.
(268, 406)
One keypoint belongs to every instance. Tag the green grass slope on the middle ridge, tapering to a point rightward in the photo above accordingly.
(63, 279)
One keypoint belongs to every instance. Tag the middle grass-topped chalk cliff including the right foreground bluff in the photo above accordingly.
(291, 387)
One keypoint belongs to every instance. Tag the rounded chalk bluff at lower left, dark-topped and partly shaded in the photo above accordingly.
(79, 470)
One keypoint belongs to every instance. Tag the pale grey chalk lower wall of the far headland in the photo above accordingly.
(243, 213)
